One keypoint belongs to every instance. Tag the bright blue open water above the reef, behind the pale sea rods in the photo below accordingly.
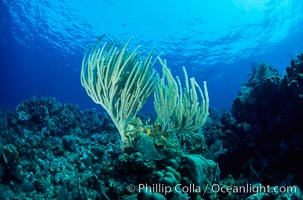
(43, 41)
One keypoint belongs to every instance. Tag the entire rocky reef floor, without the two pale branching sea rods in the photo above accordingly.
(50, 150)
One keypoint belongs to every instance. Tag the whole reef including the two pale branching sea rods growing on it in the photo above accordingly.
(51, 150)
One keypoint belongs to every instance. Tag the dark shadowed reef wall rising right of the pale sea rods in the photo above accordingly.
(266, 135)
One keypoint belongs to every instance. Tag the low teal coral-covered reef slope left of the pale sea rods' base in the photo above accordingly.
(54, 151)
